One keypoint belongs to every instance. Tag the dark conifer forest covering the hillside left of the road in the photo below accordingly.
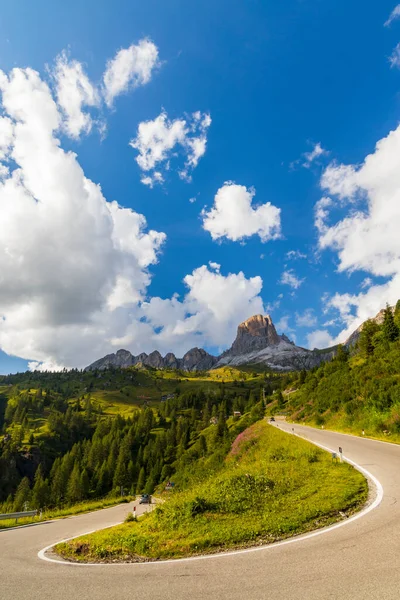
(82, 454)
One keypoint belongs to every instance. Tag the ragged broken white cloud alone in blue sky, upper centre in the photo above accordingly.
(158, 141)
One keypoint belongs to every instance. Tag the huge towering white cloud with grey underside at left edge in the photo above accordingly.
(69, 260)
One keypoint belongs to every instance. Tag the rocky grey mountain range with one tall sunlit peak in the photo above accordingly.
(257, 342)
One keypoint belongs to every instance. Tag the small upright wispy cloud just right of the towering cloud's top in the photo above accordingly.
(74, 91)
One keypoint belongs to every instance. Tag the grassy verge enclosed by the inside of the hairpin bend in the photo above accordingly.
(271, 486)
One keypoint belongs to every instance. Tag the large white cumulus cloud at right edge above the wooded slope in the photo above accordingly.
(366, 238)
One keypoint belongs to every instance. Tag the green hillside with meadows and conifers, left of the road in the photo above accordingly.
(79, 436)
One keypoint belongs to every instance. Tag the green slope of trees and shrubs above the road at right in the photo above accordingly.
(360, 387)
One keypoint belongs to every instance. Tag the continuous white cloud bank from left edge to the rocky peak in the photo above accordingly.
(74, 268)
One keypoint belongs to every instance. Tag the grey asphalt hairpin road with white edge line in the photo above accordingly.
(358, 561)
